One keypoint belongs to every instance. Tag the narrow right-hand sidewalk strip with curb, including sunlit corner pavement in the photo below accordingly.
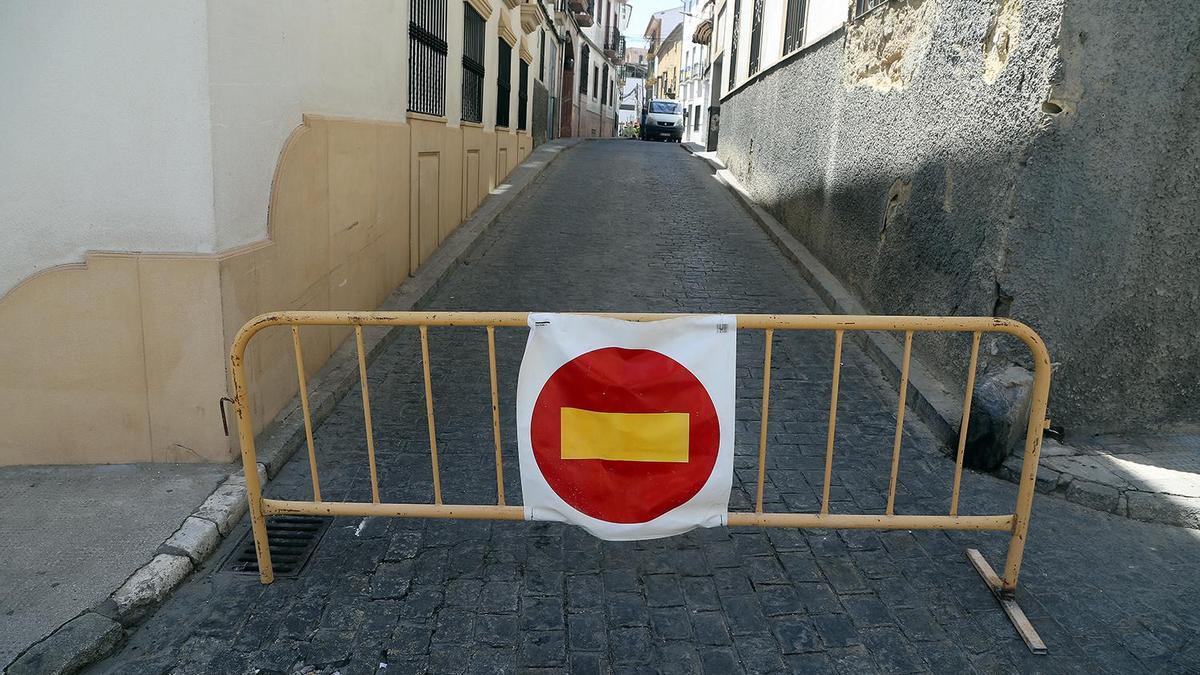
(1093, 477)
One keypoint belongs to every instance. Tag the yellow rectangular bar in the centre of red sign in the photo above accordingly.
(625, 437)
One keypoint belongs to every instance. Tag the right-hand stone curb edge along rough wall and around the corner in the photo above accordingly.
(938, 407)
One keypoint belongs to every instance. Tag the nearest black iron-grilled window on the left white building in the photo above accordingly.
(428, 58)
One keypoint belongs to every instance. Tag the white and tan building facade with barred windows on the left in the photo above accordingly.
(173, 172)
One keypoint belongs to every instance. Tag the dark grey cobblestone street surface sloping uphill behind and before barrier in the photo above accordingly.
(640, 226)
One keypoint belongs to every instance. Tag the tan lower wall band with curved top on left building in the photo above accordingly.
(123, 359)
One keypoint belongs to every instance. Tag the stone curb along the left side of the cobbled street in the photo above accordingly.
(98, 632)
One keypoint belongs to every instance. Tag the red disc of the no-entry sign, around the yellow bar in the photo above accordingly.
(615, 380)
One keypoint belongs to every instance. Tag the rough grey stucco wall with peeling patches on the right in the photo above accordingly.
(1035, 160)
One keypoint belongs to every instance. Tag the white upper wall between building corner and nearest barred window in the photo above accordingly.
(273, 61)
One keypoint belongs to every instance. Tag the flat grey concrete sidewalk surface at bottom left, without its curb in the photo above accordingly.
(74, 534)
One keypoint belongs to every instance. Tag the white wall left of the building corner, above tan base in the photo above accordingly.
(104, 132)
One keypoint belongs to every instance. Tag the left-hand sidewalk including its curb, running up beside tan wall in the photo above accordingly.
(135, 522)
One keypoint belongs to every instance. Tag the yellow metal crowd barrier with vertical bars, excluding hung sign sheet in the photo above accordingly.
(1016, 523)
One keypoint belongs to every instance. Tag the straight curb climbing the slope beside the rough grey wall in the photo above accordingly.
(933, 402)
